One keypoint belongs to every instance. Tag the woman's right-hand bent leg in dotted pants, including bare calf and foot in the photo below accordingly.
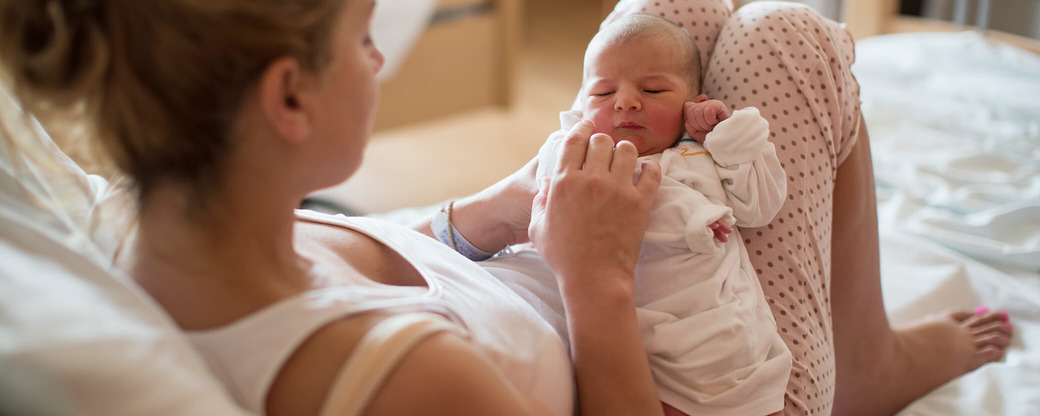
(819, 259)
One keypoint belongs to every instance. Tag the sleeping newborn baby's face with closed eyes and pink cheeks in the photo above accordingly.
(635, 93)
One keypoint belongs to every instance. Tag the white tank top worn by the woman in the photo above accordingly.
(248, 354)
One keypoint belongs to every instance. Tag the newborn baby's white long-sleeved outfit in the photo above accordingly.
(710, 334)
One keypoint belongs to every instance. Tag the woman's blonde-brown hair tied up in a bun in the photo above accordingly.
(160, 82)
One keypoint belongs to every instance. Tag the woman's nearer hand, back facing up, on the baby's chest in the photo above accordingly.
(591, 217)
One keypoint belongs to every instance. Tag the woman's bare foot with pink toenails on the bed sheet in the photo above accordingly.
(942, 348)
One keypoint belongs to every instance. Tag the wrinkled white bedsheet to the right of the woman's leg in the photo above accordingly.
(955, 132)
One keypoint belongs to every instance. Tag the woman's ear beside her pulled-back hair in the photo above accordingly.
(282, 90)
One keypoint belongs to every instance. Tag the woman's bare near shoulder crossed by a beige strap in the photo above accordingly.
(392, 365)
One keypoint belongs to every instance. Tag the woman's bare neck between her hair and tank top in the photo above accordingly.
(239, 239)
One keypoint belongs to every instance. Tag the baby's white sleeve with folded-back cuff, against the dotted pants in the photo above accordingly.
(747, 164)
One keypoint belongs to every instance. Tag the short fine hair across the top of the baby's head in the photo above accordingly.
(639, 28)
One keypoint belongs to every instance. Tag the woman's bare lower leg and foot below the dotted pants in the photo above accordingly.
(881, 371)
